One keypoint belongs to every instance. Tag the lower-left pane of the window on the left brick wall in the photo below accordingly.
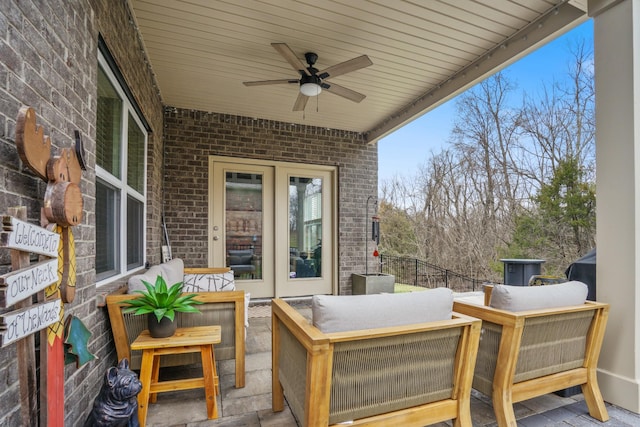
(107, 224)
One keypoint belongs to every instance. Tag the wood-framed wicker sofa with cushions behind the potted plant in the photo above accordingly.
(222, 305)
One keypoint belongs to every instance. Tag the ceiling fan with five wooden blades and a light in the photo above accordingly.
(312, 81)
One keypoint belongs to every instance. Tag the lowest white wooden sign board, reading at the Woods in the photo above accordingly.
(21, 323)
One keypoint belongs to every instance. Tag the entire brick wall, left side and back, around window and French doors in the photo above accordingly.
(48, 60)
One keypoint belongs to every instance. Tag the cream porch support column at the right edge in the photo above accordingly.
(617, 70)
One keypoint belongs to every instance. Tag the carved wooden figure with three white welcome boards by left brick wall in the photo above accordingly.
(52, 280)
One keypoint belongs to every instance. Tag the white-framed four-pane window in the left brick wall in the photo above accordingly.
(121, 144)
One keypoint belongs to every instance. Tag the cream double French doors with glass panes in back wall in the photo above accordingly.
(273, 225)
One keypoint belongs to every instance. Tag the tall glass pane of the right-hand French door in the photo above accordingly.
(305, 227)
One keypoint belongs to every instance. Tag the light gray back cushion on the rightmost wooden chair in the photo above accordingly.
(522, 298)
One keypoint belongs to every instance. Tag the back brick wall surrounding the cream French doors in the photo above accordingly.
(192, 136)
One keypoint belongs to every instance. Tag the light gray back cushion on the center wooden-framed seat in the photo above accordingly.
(355, 312)
